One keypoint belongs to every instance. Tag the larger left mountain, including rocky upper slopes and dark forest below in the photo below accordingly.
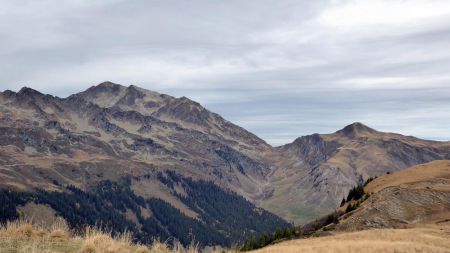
(162, 148)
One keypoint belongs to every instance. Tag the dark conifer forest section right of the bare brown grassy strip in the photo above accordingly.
(223, 210)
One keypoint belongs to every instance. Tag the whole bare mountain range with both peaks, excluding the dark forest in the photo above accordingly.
(111, 132)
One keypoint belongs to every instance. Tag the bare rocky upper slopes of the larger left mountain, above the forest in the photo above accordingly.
(76, 141)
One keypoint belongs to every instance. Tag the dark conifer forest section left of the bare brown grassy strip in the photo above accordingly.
(106, 207)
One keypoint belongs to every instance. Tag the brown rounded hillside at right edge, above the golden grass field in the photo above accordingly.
(418, 195)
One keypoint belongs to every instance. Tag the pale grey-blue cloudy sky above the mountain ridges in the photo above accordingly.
(279, 68)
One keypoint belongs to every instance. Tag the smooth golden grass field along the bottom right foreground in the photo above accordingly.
(432, 239)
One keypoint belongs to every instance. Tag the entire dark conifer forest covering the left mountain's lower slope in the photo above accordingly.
(224, 217)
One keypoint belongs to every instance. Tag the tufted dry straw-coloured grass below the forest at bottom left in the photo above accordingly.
(23, 237)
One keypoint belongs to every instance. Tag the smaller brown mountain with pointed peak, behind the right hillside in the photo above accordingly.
(315, 172)
